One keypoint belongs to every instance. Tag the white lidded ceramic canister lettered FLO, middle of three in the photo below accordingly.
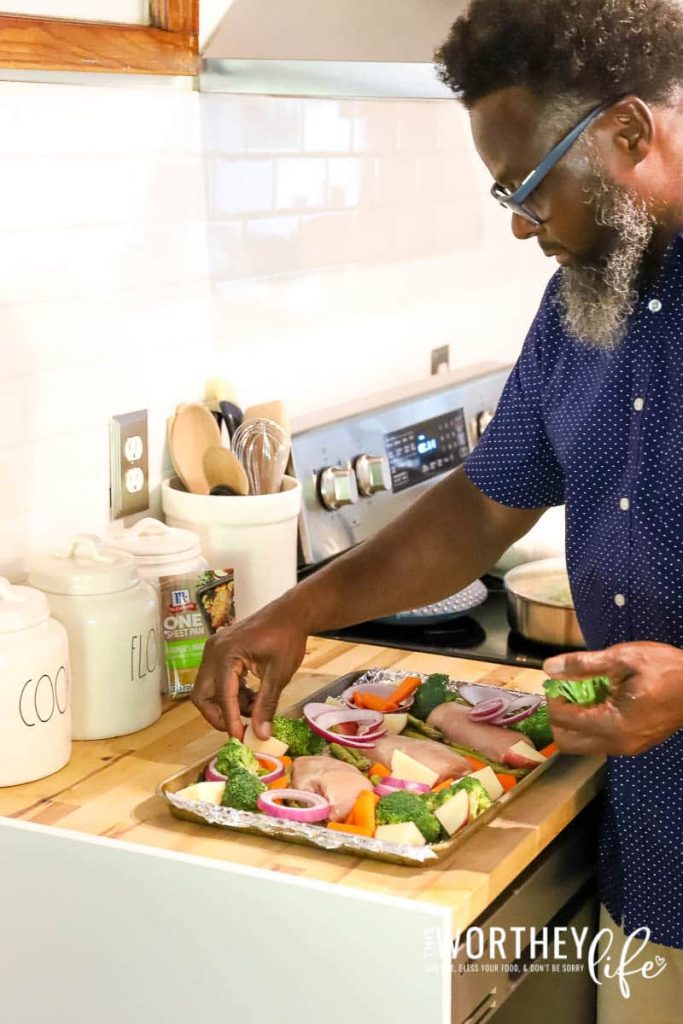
(112, 620)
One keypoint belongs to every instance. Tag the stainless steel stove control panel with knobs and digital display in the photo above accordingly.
(361, 465)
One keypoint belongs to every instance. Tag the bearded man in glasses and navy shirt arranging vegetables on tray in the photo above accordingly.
(577, 110)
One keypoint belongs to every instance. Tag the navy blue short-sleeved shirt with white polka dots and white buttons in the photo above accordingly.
(604, 433)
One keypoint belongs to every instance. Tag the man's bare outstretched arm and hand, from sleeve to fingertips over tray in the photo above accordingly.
(447, 539)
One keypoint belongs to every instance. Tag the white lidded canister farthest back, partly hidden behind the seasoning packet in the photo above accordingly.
(161, 551)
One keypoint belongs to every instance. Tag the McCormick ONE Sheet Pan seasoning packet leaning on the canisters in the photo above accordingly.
(194, 607)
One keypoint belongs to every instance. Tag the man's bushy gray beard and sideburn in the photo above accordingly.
(596, 302)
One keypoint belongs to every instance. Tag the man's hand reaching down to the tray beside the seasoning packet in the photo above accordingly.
(272, 646)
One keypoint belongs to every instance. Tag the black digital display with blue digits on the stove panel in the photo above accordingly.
(425, 450)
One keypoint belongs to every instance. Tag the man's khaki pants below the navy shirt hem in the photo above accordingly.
(652, 1001)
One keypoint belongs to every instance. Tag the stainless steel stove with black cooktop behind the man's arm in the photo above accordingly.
(361, 465)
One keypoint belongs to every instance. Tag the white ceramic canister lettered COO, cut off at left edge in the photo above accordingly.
(35, 703)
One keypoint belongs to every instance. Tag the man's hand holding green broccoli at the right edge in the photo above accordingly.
(645, 707)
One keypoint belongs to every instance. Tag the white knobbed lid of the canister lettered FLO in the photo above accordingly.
(87, 568)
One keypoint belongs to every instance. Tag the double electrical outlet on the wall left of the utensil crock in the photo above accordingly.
(129, 464)
